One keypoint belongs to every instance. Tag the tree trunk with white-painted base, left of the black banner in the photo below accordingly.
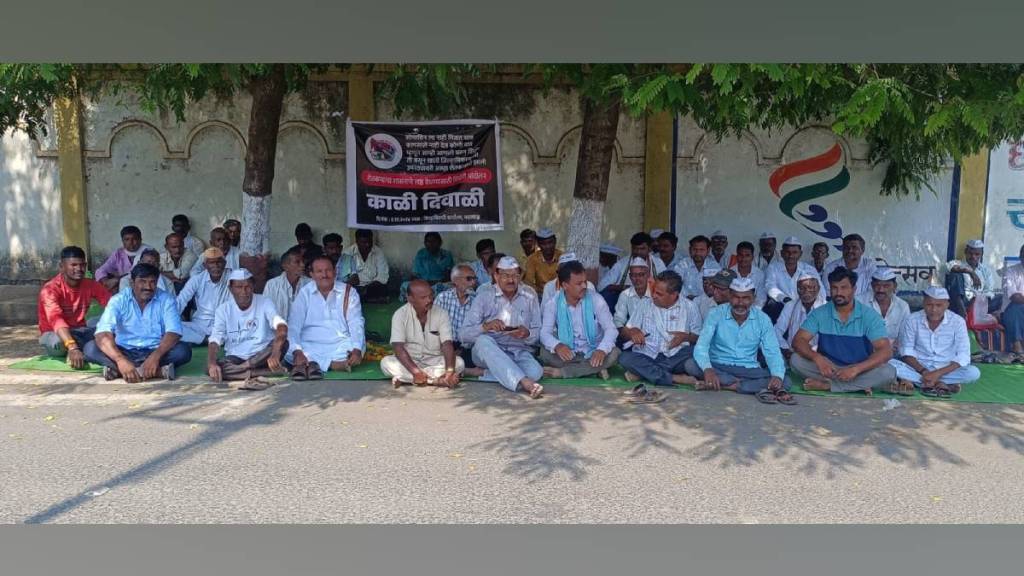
(265, 121)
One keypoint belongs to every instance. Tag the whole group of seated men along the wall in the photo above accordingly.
(712, 320)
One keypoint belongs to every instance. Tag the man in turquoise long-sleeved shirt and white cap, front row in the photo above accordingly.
(728, 349)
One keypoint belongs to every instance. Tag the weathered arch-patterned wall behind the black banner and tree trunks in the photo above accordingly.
(142, 169)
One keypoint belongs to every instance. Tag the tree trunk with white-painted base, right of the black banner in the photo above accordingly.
(598, 143)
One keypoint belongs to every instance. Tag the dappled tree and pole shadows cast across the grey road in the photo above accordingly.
(551, 438)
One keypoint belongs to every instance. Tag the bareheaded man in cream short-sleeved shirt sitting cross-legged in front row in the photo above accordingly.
(421, 337)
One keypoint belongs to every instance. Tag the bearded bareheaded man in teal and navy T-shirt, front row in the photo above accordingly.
(854, 347)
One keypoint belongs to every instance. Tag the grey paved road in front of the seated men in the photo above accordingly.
(80, 450)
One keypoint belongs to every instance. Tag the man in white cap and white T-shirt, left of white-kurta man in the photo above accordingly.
(253, 335)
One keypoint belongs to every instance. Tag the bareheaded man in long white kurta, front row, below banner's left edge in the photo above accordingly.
(326, 328)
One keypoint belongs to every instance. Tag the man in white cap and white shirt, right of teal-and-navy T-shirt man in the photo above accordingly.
(935, 349)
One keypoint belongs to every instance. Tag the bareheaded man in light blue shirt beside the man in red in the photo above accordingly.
(139, 336)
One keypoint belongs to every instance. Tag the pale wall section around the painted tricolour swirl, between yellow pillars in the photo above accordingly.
(727, 185)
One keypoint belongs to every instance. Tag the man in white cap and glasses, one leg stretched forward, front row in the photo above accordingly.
(503, 326)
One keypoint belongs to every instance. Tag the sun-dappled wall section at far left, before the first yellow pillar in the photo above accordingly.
(32, 223)
